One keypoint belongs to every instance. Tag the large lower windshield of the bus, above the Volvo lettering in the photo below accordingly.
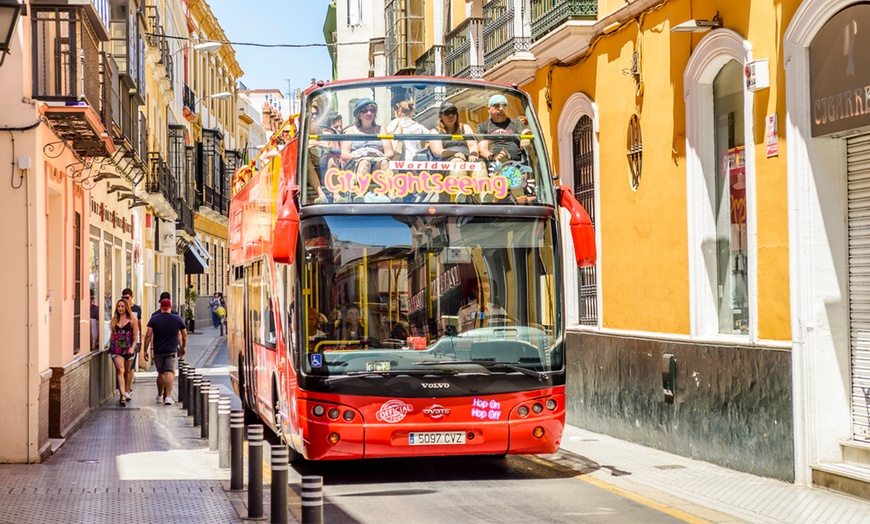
(431, 294)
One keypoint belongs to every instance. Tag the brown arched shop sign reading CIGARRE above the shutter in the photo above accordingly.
(840, 72)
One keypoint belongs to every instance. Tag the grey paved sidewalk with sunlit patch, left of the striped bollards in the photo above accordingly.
(140, 463)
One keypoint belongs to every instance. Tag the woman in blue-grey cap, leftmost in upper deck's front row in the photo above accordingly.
(363, 156)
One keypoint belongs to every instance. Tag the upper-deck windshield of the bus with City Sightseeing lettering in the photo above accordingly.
(421, 141)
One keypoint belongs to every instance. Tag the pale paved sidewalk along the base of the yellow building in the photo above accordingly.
(700, 488)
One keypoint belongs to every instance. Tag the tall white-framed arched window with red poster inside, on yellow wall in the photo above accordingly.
(720, 200)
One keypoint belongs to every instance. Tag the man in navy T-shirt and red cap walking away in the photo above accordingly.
(166, 339)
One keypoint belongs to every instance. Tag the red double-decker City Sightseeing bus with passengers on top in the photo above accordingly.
(397, 280)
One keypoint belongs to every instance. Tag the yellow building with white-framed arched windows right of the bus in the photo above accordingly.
(721, 149)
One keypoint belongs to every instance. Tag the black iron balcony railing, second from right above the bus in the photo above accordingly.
(500, 36)
